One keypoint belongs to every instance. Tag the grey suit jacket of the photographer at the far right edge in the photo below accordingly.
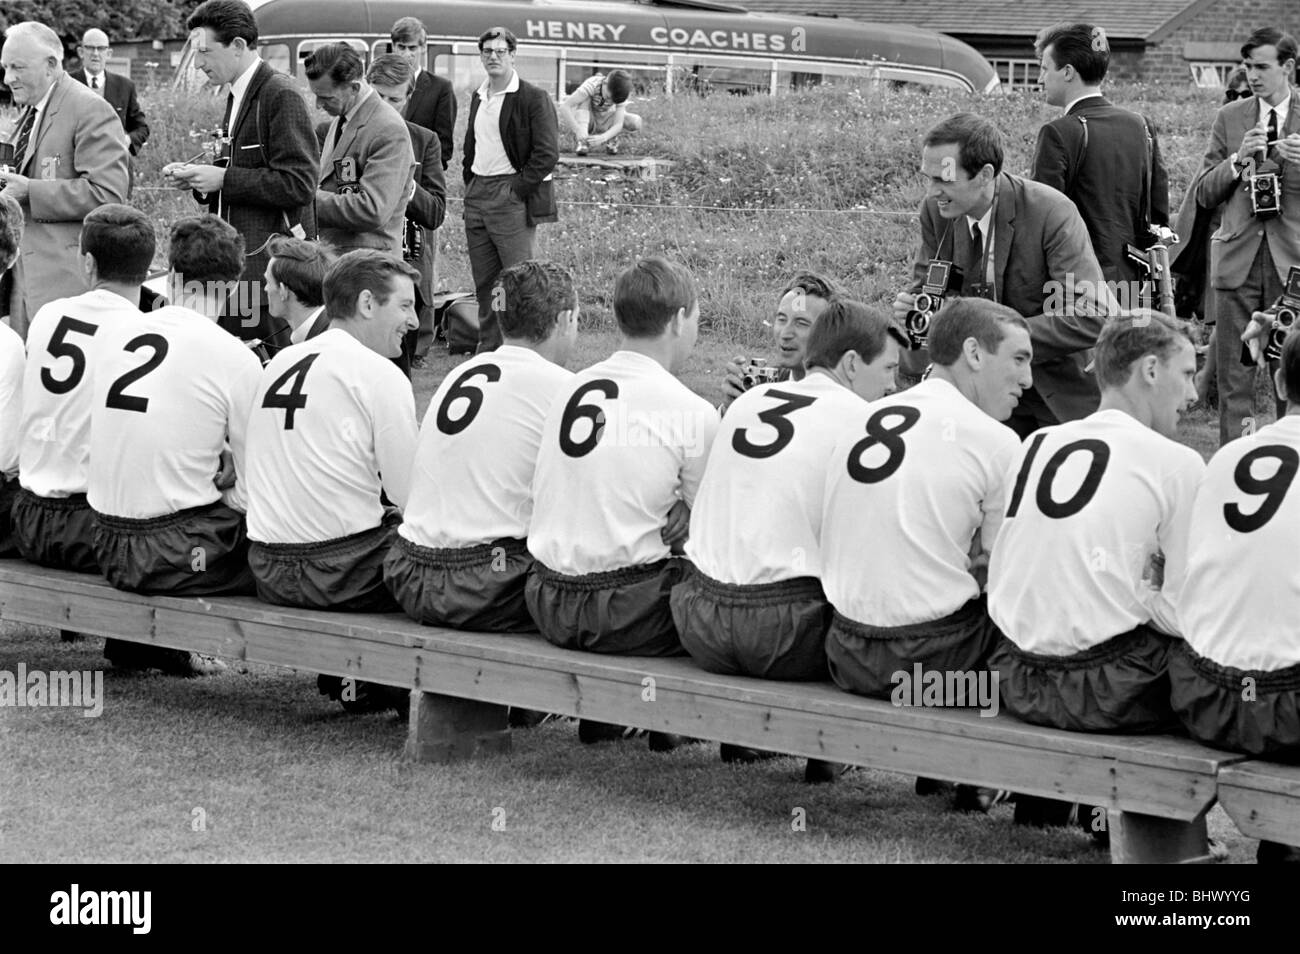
(1234, 245)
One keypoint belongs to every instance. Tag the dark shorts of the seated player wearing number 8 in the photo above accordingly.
(864, 658)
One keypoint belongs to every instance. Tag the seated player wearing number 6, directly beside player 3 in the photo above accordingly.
(622, 456)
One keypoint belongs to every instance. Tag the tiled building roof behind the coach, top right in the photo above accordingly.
(1129, 20)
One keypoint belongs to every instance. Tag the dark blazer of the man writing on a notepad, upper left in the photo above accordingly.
(271, 181)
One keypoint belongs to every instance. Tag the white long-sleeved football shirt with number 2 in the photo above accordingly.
(171, 392)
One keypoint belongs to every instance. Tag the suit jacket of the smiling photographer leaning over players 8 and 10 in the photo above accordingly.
(1039, 245)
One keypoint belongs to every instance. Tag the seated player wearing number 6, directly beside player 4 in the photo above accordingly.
(461, 558)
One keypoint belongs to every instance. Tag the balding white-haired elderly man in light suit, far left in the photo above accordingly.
(70, 157)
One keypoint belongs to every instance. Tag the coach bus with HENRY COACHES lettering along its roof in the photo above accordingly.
(670, 45)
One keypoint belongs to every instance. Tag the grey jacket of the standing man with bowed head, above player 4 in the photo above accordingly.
(378, 145)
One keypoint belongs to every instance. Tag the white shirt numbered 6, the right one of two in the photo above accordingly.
(621, 446)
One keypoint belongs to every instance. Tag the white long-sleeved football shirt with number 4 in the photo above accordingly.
(332, 426)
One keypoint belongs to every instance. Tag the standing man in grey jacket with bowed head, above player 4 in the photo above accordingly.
(367, 163)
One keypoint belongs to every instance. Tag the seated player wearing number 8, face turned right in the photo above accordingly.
(915, 500)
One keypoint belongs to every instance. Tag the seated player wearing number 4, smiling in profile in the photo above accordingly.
(332, 431)
